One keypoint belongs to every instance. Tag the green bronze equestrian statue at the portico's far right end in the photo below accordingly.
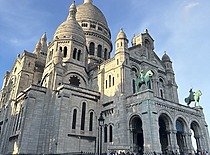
(194, 96)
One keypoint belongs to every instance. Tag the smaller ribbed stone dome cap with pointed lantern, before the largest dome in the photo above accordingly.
(70, 28)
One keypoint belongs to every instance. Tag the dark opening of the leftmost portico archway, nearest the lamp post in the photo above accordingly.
(137, 136)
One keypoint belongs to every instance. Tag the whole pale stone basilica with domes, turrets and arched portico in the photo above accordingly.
(70, 95)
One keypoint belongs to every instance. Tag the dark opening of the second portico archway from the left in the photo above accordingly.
(163, 135)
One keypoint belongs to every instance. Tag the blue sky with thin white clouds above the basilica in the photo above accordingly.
(179, 27)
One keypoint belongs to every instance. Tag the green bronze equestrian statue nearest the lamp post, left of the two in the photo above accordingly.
(144, 79)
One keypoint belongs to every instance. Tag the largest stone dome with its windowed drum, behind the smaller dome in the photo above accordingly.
(97, 32)
